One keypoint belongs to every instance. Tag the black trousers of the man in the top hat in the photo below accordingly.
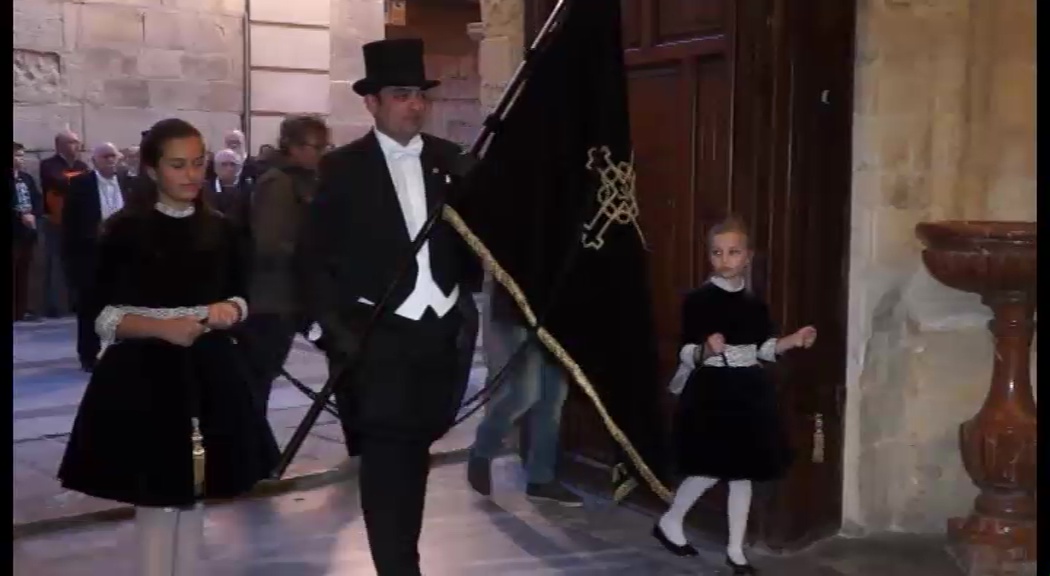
(405, 398)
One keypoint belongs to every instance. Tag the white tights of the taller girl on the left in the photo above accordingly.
(170, 541)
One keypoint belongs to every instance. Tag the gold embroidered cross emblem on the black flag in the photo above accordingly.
(616, 197)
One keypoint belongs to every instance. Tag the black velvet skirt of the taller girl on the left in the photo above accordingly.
(132, 439)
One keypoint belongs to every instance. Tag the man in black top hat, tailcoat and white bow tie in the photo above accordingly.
(373, 198)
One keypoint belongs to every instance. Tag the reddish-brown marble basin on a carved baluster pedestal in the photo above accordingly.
(998, 445)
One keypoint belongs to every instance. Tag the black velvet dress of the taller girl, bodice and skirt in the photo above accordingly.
(132, 439)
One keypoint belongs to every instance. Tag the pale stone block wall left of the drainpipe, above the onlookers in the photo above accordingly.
(108, 70)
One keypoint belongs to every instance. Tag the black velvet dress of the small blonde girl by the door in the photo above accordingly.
(727, 424)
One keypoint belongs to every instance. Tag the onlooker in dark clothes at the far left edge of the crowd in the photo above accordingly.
(27, 207)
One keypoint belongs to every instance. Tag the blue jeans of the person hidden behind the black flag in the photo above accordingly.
(534, 383)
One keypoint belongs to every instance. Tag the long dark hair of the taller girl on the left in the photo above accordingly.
(145, 194)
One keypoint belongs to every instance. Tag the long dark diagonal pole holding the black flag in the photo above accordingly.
(478, 148)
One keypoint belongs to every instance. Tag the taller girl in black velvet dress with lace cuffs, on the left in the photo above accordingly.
(169, 419)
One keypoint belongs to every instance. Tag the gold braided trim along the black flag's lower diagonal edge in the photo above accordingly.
(501, 276)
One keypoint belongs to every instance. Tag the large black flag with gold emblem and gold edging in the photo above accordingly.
(551, 209)
